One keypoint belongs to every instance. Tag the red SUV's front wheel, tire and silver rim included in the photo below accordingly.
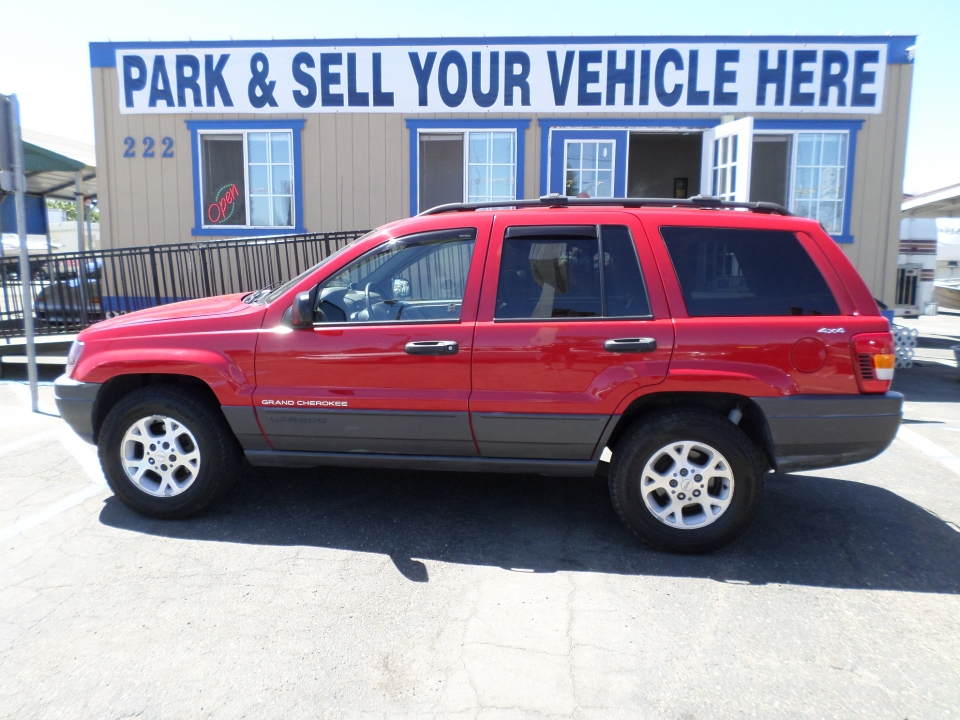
(166, 455)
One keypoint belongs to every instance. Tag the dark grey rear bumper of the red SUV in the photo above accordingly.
(818, 431)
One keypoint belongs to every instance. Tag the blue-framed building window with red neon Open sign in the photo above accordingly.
(247, 177)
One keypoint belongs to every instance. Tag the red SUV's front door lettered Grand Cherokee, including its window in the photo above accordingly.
(386, 366)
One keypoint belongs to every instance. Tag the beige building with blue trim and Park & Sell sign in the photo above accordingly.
(237, 139)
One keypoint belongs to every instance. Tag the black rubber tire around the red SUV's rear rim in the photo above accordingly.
(639, 444)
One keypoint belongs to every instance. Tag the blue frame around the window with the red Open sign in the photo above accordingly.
(296, 126)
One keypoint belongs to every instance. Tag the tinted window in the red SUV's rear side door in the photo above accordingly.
(582, 271)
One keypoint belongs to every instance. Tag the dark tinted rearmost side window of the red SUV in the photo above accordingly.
(746, 273)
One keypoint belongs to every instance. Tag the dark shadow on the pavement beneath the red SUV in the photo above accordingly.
(811, 531)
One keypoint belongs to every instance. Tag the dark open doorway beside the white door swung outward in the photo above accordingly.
(664, 165)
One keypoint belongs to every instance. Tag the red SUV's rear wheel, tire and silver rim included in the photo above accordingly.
(686, 481)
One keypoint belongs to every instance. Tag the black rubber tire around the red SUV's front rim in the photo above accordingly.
(219, 451)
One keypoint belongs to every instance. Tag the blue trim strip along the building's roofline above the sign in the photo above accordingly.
(103, 54)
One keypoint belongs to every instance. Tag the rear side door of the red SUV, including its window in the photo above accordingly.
(569, 325)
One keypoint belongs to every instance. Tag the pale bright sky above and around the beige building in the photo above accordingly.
(44, 56)
